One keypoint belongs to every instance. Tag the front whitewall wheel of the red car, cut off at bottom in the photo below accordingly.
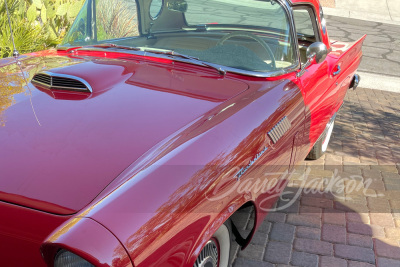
(216, 251)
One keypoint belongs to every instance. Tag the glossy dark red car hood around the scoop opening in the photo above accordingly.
(59, 150)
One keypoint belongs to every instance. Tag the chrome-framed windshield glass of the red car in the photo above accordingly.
(248, 35)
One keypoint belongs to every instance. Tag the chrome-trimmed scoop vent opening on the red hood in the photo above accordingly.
(61, 82)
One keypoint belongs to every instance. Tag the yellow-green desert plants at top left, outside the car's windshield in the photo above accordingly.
(37, 24)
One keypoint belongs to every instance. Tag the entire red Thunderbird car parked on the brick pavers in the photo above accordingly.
(141, 140)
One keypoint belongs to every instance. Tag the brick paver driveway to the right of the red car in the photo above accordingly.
(353, 218)
